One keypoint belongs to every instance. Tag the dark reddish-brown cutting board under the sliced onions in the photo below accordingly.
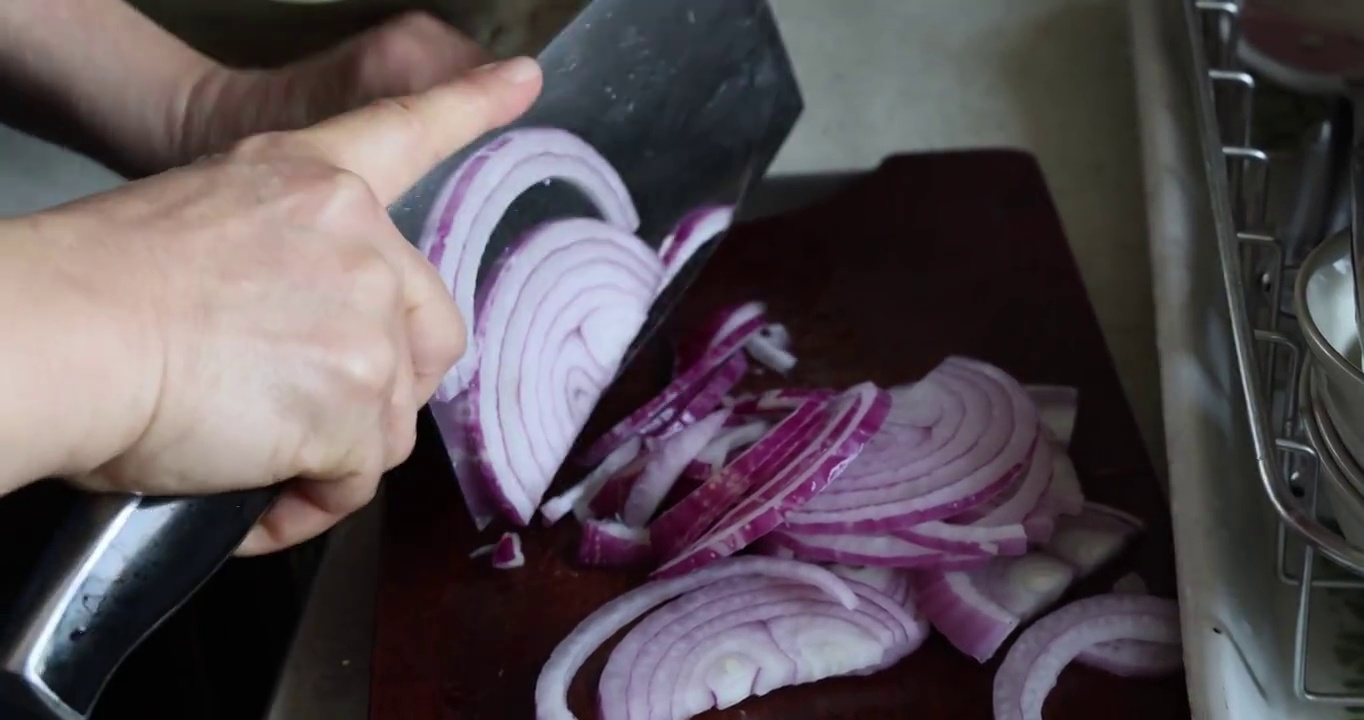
(925, 257)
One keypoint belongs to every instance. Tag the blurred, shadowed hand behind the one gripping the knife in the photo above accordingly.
(404, 57)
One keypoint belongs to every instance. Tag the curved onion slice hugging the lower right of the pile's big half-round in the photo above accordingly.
(999, 527)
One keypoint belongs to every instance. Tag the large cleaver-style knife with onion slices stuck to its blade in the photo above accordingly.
(690, 100)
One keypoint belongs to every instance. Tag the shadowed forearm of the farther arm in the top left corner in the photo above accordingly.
(110, 69)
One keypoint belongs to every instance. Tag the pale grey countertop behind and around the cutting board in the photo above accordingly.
(880, 77)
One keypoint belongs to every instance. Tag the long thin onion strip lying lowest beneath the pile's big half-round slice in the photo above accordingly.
(870, 550)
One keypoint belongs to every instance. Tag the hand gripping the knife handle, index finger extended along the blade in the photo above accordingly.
(283, 328)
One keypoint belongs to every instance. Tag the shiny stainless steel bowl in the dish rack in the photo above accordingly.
(1324, 301)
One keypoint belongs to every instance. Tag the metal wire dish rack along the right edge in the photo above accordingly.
(1311, 553)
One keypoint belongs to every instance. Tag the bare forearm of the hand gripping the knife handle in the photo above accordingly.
(70, 396)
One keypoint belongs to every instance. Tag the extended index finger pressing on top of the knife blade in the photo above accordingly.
(394, 142)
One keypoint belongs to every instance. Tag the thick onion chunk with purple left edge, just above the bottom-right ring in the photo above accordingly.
(979, 610)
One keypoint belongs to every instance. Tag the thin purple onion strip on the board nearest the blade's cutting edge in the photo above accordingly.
(737, 327)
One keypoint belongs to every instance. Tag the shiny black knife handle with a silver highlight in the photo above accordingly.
(121, 567)
